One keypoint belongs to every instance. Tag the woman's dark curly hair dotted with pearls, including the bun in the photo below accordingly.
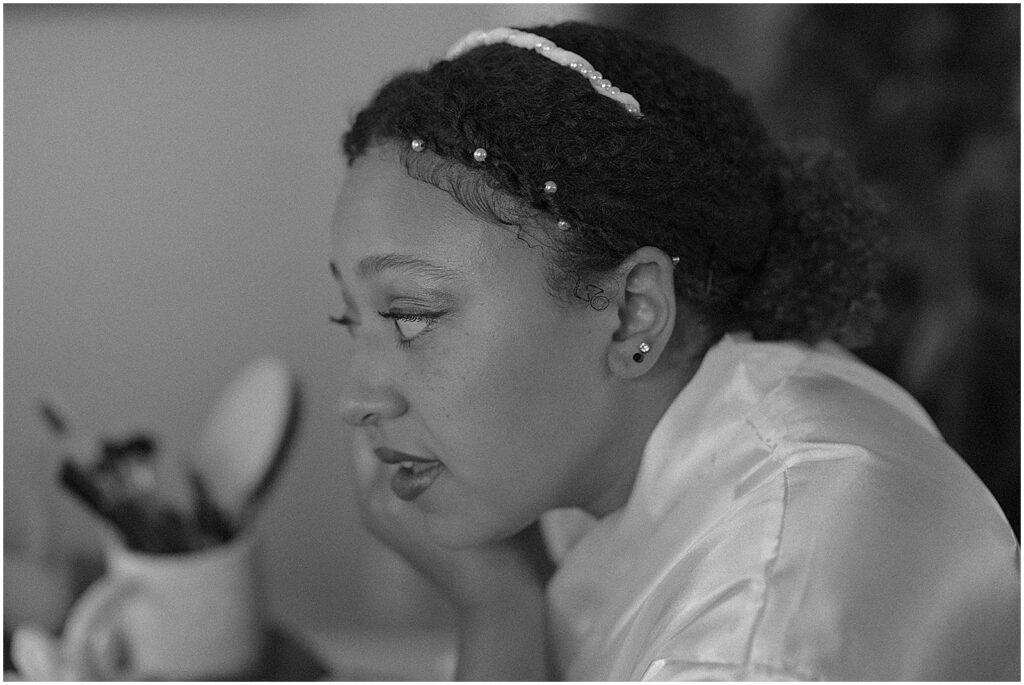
(784, 244)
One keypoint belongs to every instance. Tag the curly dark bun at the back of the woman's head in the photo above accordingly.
(825, 264)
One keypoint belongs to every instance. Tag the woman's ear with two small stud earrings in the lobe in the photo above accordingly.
(647, 314)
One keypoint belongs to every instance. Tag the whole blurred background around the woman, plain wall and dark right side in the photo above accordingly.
(169, 175)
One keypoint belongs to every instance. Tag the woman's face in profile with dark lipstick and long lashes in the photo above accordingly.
(457, 355)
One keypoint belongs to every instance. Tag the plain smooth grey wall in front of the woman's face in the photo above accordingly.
(169, 176)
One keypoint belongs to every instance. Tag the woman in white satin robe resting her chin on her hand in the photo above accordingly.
(584, 288)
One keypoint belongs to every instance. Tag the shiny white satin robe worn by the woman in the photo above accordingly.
(796, 517)
